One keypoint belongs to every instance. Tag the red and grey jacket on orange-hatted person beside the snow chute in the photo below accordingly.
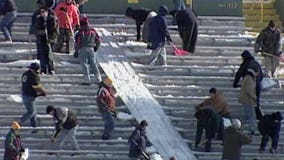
(105, 99)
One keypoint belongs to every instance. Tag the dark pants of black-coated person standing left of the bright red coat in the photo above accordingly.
(45, 56)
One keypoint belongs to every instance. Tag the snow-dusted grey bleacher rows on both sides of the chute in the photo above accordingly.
(178, 87)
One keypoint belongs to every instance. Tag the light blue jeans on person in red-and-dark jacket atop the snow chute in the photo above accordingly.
(87, 56)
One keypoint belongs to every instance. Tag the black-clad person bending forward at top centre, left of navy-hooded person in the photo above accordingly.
(139, 15)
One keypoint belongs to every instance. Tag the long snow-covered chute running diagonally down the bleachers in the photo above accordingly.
(140, 101)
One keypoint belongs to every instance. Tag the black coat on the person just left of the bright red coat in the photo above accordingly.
(40, 27)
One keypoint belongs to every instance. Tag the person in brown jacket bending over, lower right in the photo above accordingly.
(218, 103)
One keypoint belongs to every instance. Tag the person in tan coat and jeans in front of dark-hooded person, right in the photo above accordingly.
(248, 99)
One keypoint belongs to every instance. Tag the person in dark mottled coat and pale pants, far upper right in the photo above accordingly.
(268, 42)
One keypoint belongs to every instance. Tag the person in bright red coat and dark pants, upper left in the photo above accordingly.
(68, 19)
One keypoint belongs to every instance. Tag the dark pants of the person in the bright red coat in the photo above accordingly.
(64, 37)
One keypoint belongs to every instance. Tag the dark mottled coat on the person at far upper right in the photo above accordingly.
(269, 41)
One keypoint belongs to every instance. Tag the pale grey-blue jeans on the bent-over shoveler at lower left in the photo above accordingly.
(68, 135)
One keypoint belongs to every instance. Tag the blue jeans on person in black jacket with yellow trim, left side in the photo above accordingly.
(31, 113)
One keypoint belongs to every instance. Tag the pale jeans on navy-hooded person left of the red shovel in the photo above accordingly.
(158, 56)
